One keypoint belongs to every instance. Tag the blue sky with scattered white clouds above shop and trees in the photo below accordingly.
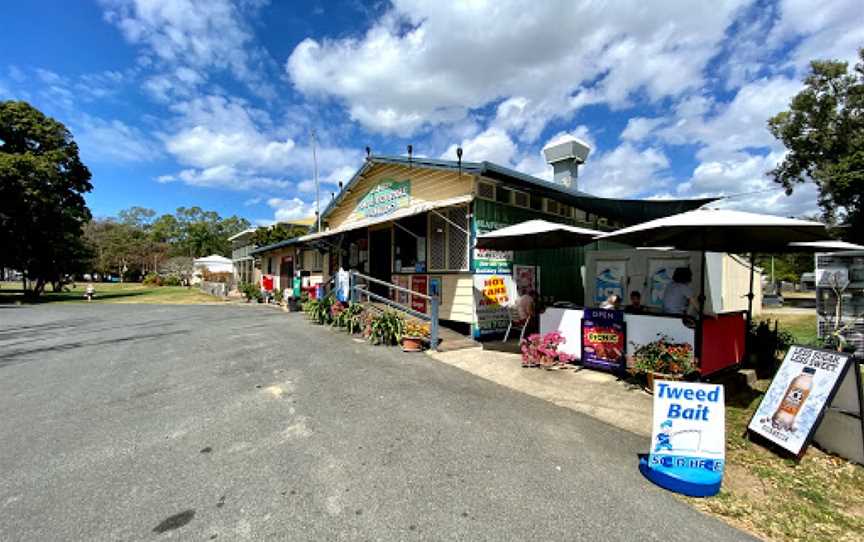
(212, 103)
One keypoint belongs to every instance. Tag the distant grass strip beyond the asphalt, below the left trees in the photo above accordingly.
(130, 292)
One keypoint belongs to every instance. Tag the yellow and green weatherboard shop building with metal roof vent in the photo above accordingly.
(412, 222)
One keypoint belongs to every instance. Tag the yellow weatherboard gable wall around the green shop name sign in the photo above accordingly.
(426, 185)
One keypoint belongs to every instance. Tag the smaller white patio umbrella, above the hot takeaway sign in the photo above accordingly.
(536, 234)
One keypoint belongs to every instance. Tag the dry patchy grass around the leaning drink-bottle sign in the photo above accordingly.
(820, 498)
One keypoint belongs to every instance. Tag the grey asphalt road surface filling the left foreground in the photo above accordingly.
(124, 422)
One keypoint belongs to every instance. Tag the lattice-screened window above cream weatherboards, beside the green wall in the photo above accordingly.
(448, 240)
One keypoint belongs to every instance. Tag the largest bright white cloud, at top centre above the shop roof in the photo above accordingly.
(429, 63)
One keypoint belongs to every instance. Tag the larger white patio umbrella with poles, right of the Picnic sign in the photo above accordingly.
(721, 230)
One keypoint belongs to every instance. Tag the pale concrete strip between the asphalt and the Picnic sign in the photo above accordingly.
(599, 395)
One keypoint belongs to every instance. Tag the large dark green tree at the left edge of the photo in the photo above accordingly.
(42, 187)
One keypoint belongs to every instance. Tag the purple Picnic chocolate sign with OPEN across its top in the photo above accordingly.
(604, 340)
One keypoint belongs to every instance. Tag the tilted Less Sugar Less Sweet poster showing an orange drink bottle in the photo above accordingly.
(795, 401)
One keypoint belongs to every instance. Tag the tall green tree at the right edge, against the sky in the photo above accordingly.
(824, 132)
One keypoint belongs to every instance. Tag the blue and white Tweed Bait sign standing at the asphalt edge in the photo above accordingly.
(688, 443)
